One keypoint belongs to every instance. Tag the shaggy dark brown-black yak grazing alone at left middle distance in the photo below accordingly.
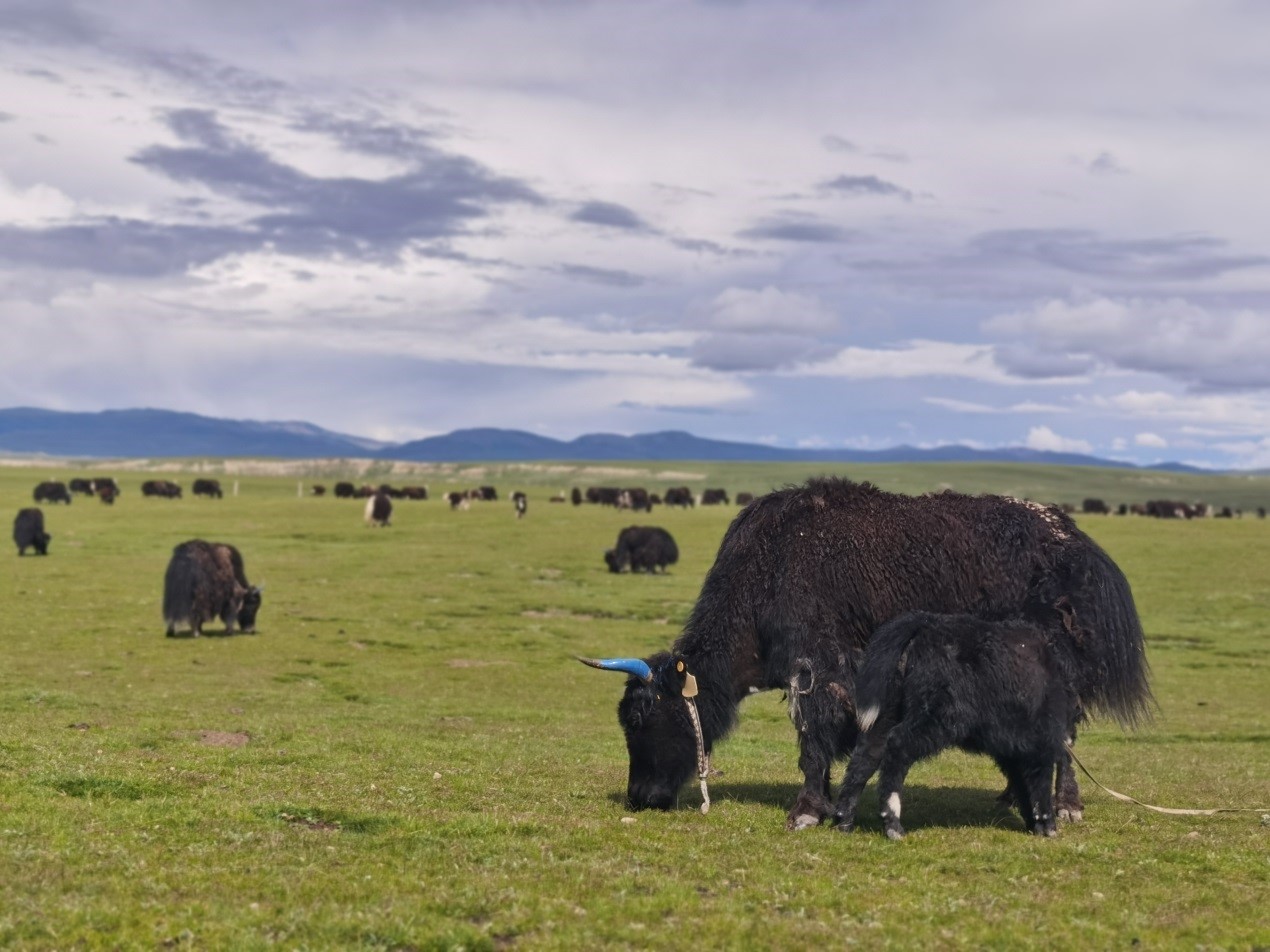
(206, 581)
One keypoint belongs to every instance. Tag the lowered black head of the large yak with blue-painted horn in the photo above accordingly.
(660, 736)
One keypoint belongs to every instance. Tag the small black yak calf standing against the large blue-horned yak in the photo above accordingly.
(929, 682)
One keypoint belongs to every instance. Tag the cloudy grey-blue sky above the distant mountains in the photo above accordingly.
(803, 224)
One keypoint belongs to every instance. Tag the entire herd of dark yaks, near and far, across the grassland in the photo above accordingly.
(897, 626)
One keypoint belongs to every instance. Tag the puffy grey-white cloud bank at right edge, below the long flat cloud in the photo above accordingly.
(1170, 337)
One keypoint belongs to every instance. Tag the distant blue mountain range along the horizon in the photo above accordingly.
(164, 433)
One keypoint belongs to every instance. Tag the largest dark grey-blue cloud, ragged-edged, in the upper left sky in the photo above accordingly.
(318, 215)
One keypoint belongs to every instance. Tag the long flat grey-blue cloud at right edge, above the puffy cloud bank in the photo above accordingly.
(1182, 258)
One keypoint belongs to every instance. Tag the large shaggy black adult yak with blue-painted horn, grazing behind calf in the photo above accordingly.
(803, 578)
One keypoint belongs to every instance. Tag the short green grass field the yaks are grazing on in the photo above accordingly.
(407, 757)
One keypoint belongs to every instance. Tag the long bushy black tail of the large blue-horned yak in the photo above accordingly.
(1111, 639)
